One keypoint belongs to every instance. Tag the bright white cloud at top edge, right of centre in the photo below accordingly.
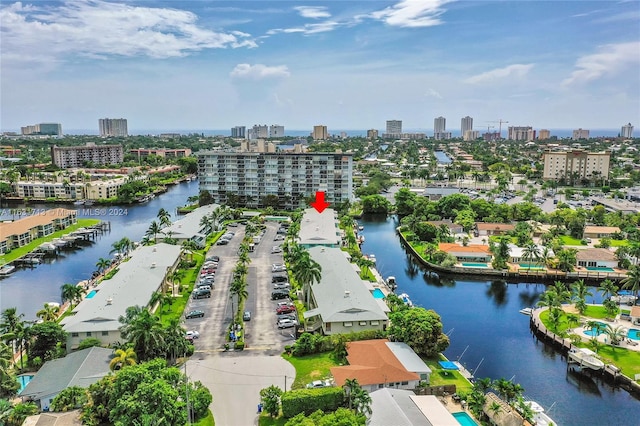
(412, 13)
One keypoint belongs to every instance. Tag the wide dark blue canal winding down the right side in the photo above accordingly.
(483, 315)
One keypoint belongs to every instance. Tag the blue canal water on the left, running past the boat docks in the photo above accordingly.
(30, 289)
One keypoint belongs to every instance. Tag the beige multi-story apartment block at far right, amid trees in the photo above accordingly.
(575, 165)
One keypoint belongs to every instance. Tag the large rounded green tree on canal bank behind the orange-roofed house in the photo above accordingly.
(419, 328)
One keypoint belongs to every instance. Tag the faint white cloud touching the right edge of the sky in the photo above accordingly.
(610, 59)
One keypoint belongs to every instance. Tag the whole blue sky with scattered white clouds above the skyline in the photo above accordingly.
(346, 64)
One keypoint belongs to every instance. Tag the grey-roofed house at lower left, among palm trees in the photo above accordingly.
(82, 368)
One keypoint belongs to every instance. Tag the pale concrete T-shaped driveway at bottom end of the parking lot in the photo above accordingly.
(235, 380)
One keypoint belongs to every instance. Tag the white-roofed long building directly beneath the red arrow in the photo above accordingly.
(319, 229)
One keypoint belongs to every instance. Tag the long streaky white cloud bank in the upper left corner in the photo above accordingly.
(98, 29)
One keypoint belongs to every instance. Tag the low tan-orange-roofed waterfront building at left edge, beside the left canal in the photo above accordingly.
(37, 225)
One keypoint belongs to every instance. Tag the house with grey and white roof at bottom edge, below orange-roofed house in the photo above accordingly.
(401, 407)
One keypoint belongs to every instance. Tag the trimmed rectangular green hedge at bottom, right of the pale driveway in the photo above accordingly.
(309, 400)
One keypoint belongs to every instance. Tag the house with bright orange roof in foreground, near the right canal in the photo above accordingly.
(375, 366)
